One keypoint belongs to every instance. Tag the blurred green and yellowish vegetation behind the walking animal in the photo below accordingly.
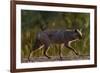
(35, 21)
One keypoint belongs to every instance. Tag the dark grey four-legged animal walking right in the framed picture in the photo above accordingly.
(48, 37)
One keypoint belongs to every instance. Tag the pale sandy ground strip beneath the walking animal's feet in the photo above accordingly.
(55, 58)
